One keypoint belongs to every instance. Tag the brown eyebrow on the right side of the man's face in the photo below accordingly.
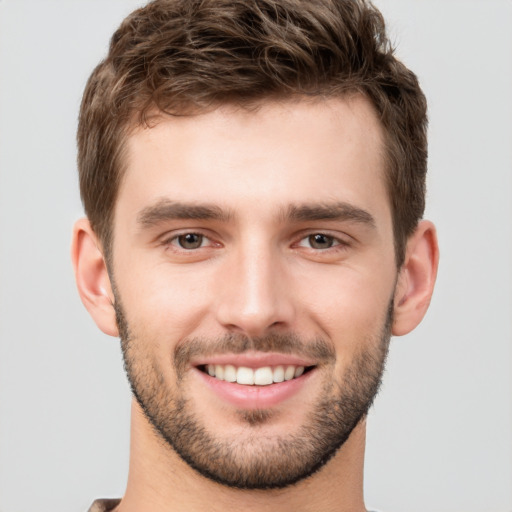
(340, 211)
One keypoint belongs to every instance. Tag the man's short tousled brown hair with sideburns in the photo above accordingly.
(183, 56)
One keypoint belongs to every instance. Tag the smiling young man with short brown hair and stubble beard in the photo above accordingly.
(253, 176)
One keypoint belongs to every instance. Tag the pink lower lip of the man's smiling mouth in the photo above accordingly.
(255, 397)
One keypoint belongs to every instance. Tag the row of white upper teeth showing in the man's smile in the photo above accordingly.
(263, 376)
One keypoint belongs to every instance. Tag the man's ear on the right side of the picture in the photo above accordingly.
(416, 279)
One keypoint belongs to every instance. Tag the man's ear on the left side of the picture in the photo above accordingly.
(92, 278)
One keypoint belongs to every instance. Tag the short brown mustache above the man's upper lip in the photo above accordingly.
(317, 349)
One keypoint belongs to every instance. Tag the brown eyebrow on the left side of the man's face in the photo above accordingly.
(165, 210)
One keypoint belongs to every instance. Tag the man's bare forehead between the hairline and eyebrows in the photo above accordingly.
(264, 159)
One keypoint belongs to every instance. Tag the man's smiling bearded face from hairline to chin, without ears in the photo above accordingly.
(254, 272)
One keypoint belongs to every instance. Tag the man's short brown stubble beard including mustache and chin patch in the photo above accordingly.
(255, 461)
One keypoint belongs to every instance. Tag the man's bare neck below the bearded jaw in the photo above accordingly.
(160, 481)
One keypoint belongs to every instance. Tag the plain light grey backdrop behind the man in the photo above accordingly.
(440, 434)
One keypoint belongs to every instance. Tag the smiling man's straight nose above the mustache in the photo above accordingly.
(255, 292)
